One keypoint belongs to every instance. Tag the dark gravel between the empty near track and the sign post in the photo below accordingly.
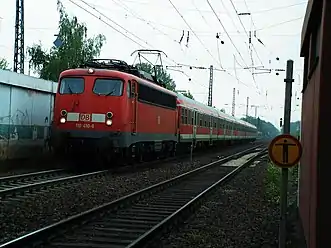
(236, 216)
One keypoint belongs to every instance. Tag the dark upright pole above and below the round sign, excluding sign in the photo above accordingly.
(286, 130)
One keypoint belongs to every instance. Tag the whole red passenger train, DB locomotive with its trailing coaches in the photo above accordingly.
(116, 111)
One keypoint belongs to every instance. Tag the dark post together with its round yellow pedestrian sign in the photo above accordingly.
(285, 151)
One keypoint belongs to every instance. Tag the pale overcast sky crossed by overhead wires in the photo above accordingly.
(129, 25)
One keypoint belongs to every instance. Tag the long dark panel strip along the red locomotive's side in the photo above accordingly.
(154, 96)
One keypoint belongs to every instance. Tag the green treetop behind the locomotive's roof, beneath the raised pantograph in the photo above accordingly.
(161, 75)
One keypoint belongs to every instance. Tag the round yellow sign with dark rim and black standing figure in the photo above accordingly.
(285, 151)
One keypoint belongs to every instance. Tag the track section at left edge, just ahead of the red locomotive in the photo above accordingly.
(13, 187)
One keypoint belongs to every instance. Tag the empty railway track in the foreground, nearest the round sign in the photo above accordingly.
(137, 219)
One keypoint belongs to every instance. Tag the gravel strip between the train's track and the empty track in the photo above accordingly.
(28, 214)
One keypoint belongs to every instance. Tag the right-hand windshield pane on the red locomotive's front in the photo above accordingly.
(108, 87)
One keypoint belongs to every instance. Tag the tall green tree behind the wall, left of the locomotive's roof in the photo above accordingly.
(75, 49)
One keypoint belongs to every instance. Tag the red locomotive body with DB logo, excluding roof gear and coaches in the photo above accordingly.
(139, 111)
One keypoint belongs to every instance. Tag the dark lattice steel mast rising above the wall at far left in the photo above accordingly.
(19, 38)
